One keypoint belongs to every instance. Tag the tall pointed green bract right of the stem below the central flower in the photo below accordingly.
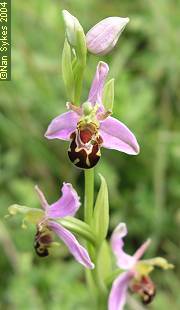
(101, 212)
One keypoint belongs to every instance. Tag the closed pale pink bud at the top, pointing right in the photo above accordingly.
(102, 38)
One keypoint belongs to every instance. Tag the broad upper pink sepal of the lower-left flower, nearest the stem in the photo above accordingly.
(67, 205)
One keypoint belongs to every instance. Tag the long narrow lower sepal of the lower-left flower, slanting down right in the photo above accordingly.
(77, 250)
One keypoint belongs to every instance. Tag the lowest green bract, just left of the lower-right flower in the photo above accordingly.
(103, 264)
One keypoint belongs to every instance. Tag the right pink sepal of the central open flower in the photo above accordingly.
(117, 136)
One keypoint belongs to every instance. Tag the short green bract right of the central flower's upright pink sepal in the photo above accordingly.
(108, 95)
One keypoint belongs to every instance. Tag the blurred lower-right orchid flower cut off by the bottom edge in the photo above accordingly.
(136, 274)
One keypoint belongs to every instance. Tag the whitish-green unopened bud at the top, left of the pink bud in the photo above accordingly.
(72, 27)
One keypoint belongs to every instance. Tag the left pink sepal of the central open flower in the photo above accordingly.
(62, 126)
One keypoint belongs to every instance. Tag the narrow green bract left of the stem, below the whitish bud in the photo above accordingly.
(67, 71)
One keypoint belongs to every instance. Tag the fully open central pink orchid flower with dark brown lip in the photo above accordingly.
(90, 127)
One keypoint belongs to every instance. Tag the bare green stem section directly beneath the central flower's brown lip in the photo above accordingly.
(89, 195)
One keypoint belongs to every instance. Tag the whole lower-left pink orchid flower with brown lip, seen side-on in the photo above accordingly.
(47, 224)
